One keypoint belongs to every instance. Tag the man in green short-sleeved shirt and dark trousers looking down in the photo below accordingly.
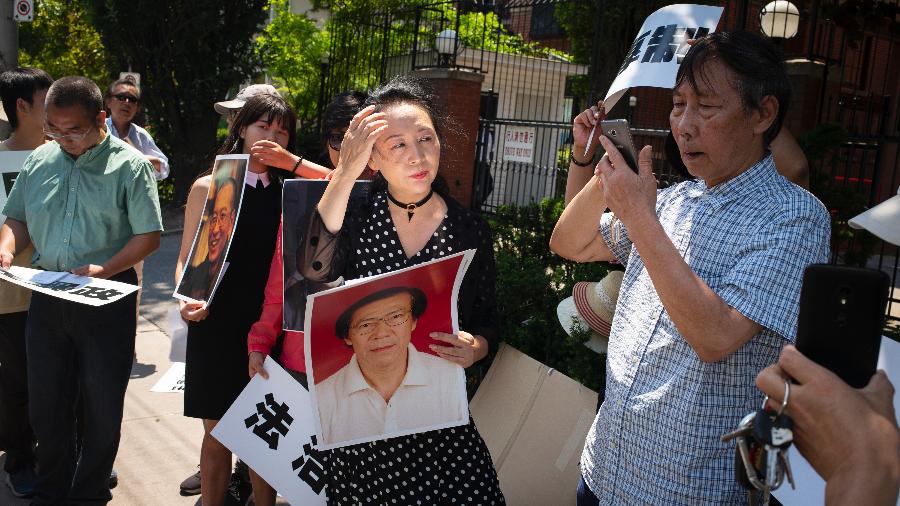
(88, 204)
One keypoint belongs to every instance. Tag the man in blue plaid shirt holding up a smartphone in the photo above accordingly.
(712, 280)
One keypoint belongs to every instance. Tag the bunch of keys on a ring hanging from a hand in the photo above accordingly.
(762, 439)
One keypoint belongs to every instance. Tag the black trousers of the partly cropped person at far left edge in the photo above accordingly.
(15, 429)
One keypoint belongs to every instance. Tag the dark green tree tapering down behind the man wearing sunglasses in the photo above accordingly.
(190, 53)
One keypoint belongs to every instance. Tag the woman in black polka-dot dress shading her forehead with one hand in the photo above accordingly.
(407, 219)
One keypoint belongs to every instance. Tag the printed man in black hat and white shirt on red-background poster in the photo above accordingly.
(388, 387)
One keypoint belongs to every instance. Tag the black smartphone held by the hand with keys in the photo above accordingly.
(842, 318)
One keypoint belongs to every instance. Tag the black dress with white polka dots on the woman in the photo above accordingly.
(447, 466)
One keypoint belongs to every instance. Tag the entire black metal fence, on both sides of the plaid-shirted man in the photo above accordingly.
(849, 59)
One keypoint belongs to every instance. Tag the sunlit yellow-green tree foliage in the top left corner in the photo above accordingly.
(62, 41)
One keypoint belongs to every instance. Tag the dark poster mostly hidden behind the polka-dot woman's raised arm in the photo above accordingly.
(299, 200)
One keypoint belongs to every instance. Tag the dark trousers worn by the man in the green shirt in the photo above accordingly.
(74, 349)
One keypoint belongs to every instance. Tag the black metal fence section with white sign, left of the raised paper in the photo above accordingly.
(524, 132)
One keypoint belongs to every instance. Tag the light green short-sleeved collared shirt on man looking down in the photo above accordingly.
(83, 211)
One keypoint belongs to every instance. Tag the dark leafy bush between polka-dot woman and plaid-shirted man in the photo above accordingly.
(531, 281)
